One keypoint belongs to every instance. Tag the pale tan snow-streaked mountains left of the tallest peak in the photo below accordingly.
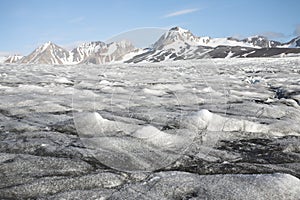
(92, 52)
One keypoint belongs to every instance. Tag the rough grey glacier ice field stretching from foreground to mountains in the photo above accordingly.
(247, 143)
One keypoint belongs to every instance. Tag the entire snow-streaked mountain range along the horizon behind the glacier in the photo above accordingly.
(175, 44)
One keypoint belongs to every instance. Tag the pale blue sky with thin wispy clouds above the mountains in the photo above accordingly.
(26, 24)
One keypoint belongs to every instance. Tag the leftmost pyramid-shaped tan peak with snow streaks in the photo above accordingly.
(49, 53)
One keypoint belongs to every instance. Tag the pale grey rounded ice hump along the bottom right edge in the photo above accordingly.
(172, 185)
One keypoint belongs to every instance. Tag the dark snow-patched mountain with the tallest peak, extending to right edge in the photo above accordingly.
(181, 44)
